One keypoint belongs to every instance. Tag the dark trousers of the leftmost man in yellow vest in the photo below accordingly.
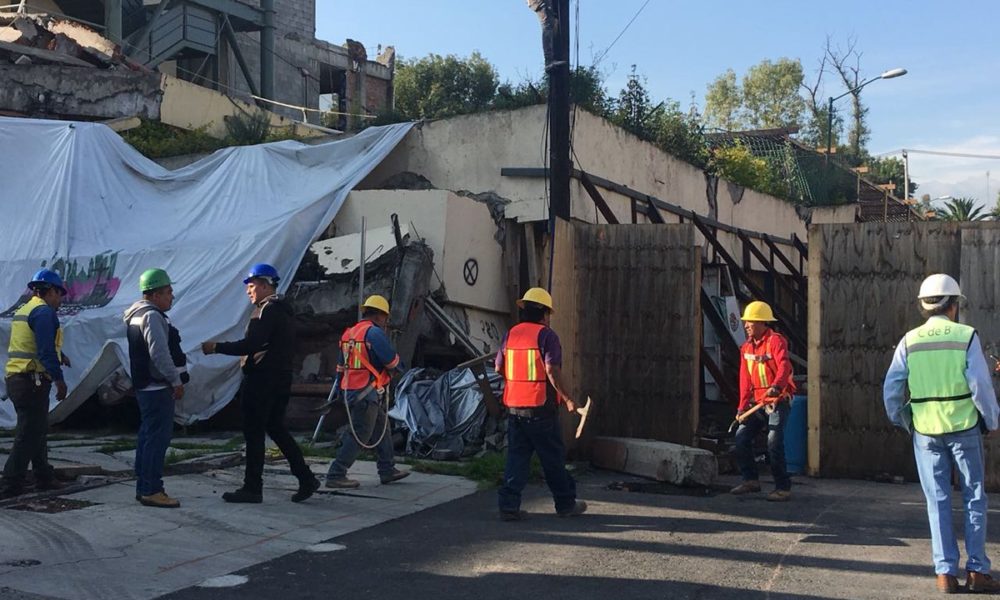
(31, 402)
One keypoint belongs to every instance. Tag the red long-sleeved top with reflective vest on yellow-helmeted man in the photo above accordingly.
(763, 364)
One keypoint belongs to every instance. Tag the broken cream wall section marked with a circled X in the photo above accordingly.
(455, 227)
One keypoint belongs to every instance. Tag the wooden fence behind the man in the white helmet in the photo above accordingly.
(863, 282)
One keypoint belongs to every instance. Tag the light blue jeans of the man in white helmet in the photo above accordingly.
(935, 456)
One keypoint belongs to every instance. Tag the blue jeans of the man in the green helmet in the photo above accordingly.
(156, 409)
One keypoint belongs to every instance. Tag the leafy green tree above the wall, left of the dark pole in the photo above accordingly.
(440, 86)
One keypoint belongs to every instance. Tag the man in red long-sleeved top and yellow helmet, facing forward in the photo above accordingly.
(765, 379)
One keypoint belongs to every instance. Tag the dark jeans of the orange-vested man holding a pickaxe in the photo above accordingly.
(526, 435)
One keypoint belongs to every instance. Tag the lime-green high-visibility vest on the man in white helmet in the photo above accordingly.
(936, 359)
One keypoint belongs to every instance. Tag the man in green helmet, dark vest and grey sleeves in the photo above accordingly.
(158, 369)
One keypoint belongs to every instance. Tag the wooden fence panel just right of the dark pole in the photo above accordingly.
(628, 311)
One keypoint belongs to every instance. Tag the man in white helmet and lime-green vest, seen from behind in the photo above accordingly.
(942, 366)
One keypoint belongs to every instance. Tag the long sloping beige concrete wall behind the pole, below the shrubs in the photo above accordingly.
(467, 153)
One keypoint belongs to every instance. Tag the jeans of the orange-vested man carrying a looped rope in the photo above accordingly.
(369, 421)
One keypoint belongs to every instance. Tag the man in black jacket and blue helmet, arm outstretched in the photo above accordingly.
(267, 350)
